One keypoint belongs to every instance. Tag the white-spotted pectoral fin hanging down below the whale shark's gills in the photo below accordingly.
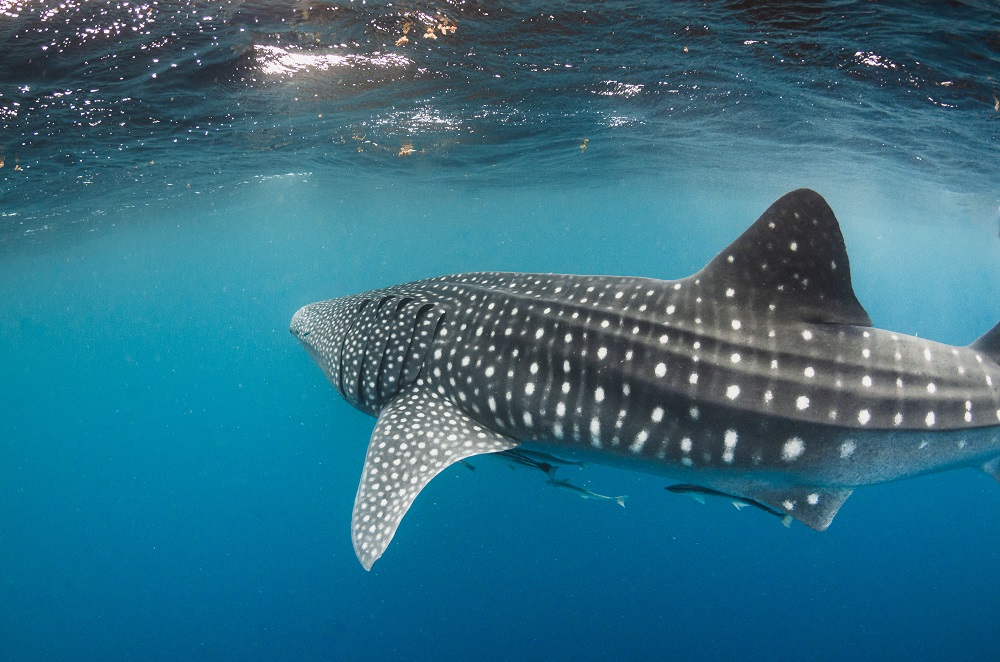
(418, 435)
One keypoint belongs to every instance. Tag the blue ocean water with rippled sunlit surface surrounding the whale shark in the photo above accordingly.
(176, 475)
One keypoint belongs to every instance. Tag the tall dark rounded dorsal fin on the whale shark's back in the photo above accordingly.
(792, 258)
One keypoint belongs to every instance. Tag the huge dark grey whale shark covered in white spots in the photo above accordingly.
(759, 377)
